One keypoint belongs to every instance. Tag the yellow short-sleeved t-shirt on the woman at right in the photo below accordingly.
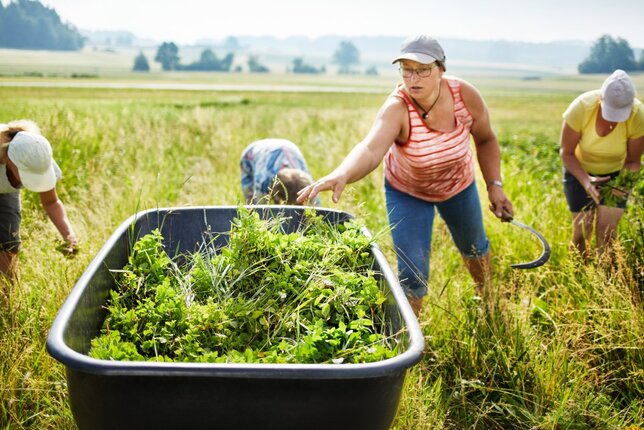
(599, 155)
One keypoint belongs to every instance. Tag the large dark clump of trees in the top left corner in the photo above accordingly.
(27, 24)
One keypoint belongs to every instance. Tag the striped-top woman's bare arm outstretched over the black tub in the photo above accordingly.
(365, 156)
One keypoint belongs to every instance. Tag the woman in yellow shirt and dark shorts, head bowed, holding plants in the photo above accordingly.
(602, 134)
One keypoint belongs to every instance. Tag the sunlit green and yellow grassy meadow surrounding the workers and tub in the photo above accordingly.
(561, 347)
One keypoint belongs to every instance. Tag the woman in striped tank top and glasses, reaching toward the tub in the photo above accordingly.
(422, 132)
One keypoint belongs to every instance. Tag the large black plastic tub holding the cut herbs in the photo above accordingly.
(155, 395)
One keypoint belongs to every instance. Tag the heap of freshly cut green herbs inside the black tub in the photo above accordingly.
(268, 297)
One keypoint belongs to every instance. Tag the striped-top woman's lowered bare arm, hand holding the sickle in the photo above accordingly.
(488, 151)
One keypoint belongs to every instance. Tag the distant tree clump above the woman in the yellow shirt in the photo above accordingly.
(608, 54)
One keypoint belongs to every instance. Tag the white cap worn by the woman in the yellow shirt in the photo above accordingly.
(618, 93)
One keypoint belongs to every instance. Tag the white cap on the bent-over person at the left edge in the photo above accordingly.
(32, 155)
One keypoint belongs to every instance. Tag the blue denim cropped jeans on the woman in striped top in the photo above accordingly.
(411, 220)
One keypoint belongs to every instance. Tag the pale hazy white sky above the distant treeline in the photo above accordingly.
(186, 21)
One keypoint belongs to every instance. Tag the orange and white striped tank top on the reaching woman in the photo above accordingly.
(432, 165)
